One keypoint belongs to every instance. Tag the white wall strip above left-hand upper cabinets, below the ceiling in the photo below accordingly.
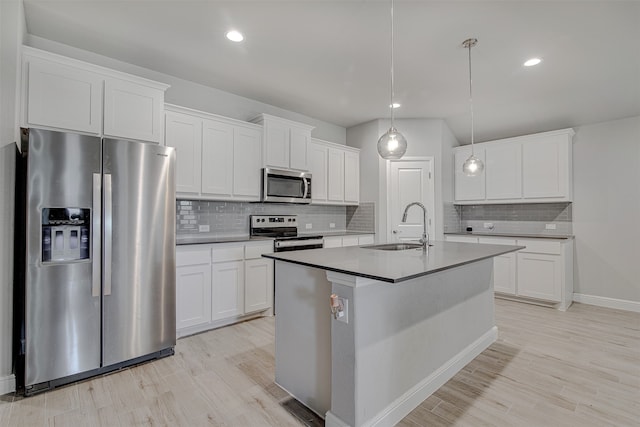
(196, 96)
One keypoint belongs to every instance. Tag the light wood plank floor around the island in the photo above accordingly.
(579, 368)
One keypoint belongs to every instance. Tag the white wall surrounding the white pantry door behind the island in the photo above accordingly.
(425, 137)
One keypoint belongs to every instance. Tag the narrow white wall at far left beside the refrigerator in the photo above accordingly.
(11, 36)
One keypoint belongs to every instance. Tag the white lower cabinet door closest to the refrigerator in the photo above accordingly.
(193, 295)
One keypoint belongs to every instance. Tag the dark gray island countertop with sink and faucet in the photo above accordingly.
(393, 266)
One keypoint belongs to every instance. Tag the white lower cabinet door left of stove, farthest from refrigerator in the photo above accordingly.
(258, 284)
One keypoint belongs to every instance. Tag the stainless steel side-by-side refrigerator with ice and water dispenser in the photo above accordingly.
(95, 256)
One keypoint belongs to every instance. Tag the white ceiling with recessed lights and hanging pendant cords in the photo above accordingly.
(331, 59)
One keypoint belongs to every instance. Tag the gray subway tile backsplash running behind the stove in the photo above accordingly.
(232, 218)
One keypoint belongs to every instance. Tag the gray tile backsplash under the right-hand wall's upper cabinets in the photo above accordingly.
(529, 218)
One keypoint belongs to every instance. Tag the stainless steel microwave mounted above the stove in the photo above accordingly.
(286, 186)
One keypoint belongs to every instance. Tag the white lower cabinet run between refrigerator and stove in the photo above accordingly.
(220, 284)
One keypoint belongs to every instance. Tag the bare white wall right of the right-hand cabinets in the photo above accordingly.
(606, 209)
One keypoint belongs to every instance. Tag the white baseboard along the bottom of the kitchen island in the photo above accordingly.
(406, 403)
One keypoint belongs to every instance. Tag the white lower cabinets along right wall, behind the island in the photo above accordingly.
(542, 272)
